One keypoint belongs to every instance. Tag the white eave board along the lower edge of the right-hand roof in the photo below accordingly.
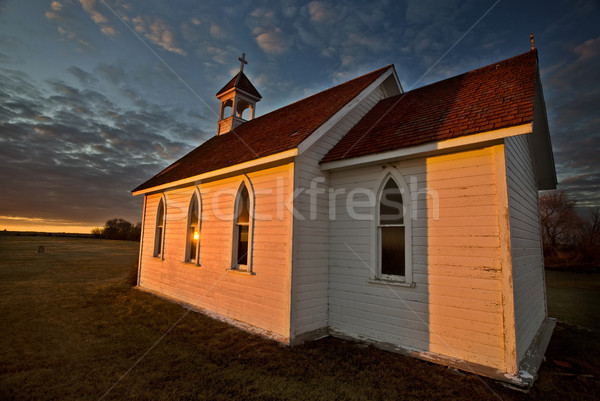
(430, 148)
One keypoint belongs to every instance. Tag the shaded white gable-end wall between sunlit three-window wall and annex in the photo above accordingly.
(311, 227)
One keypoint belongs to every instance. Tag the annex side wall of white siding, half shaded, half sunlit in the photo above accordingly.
(455, 308)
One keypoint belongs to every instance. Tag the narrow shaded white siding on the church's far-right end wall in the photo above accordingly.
(526, 247)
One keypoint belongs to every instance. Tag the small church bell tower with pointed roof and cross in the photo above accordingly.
(236, 98)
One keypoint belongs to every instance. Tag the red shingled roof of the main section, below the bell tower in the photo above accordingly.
(275, 132)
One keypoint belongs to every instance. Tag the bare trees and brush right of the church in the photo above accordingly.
(568, 238)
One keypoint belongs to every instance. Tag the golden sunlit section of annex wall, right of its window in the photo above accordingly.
(465, 294)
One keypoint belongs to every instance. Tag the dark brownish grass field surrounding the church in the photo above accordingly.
(72, 327)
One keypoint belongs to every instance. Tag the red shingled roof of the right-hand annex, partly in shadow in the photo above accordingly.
(498, 96)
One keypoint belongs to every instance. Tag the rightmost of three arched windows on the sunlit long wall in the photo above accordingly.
(242, 231)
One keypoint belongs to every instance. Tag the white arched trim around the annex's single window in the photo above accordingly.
(376, 275)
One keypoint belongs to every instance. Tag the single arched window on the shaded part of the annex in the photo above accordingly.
(393, 230)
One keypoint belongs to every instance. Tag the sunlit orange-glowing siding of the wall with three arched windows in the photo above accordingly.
(261, 300)
